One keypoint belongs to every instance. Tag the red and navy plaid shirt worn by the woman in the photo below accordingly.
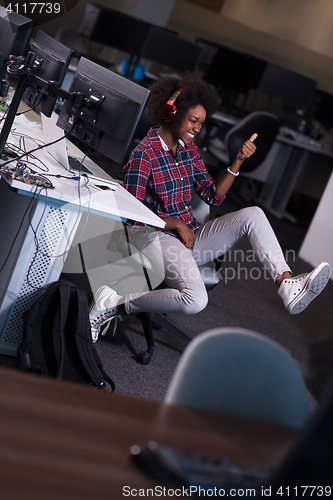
(169, 178)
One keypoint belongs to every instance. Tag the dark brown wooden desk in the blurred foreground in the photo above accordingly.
(64, 441)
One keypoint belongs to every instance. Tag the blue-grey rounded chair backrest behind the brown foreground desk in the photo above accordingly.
(239, 372)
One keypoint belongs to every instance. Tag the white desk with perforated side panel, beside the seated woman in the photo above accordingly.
(54, 215)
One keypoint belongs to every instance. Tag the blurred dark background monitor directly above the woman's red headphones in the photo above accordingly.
(171, 50)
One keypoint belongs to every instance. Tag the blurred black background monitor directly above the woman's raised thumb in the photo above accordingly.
(234, 70)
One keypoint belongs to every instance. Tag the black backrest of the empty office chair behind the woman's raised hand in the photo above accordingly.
(266, 125)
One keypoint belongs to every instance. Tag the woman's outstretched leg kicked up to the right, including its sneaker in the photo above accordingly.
(217, 237)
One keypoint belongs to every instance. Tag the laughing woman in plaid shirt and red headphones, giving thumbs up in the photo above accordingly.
(167, 165)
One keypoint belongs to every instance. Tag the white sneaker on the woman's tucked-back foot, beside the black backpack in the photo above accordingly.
(103, 310)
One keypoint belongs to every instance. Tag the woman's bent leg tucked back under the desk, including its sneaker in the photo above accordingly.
(172, 263)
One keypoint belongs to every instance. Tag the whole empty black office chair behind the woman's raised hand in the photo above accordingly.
(266, 125)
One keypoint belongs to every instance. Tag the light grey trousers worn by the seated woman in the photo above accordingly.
(177, 265)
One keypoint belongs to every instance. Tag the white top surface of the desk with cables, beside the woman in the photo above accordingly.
(115, 203)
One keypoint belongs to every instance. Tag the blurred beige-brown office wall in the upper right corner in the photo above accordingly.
(296, 34)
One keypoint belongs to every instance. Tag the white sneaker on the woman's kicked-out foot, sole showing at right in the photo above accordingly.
(298, 292)
